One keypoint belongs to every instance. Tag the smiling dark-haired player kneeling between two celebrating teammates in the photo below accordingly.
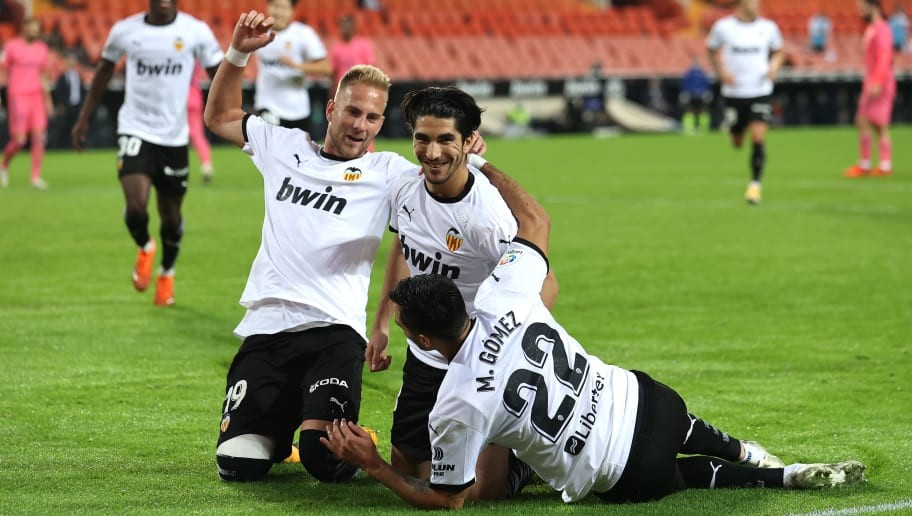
(450, 221)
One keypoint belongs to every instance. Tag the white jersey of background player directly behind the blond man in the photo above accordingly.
(280, 89)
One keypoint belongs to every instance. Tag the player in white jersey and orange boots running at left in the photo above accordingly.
(162, 46)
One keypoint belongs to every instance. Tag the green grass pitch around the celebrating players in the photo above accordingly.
(789, 323)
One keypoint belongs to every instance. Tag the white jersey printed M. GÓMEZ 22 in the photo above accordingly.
(522, 382)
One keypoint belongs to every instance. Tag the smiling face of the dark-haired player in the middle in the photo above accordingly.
(440, 149)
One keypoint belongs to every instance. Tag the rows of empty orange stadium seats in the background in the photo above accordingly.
(488, 39)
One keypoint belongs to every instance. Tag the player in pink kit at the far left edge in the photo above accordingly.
(25, 61)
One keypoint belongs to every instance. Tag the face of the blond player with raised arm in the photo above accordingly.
(355, 117)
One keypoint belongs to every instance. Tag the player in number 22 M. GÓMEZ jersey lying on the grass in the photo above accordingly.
(517, 378)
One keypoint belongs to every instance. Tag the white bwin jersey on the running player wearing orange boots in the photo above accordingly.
(160, 62)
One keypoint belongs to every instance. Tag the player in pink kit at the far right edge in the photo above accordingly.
(875, 106)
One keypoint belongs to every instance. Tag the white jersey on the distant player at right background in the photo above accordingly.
(745, 53)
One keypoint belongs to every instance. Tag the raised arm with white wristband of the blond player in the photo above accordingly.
(223, 114)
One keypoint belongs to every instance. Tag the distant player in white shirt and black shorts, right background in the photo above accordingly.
(746, 53)
